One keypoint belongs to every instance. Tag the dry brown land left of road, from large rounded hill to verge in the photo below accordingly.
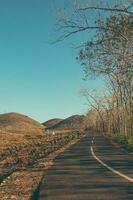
(23, 147)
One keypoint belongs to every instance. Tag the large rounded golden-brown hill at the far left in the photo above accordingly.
(18, 123)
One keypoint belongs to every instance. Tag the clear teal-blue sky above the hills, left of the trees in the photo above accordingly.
(36, 78)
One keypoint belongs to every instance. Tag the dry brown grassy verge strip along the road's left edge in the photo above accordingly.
(22, 185)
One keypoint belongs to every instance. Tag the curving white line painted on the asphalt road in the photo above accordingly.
(110, 168)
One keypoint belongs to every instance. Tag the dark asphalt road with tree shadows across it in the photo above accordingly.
(85, 172)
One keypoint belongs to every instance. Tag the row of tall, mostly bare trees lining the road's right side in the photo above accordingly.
(107, 55)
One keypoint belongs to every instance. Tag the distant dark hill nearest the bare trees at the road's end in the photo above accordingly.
(73, 122)
